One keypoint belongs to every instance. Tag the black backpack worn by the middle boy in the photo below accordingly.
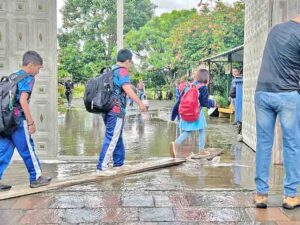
(98, 93)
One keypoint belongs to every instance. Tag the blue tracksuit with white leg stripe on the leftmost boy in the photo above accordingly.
(21, 139)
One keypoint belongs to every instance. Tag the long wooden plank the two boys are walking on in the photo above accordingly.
(21, 190)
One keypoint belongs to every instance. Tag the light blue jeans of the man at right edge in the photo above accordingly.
(285, 105)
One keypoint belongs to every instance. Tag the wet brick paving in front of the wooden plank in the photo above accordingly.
(158, 197)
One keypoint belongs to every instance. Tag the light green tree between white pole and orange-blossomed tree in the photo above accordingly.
(153, 44)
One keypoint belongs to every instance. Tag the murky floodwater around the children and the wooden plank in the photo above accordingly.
(147, 137)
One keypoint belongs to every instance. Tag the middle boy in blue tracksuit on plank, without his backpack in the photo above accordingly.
(113, 145)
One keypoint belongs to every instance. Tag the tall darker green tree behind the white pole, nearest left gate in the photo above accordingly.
(88, 37)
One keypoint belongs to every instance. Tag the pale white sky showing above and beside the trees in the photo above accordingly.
(163, 6)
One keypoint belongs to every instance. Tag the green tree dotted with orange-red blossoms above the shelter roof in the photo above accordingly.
(208, 33)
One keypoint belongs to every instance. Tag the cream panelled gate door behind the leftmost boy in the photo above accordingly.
(31, 25)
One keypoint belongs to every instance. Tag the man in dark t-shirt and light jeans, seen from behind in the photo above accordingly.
(277, 96)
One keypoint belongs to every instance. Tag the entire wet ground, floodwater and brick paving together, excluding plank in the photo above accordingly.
(197, 192)
